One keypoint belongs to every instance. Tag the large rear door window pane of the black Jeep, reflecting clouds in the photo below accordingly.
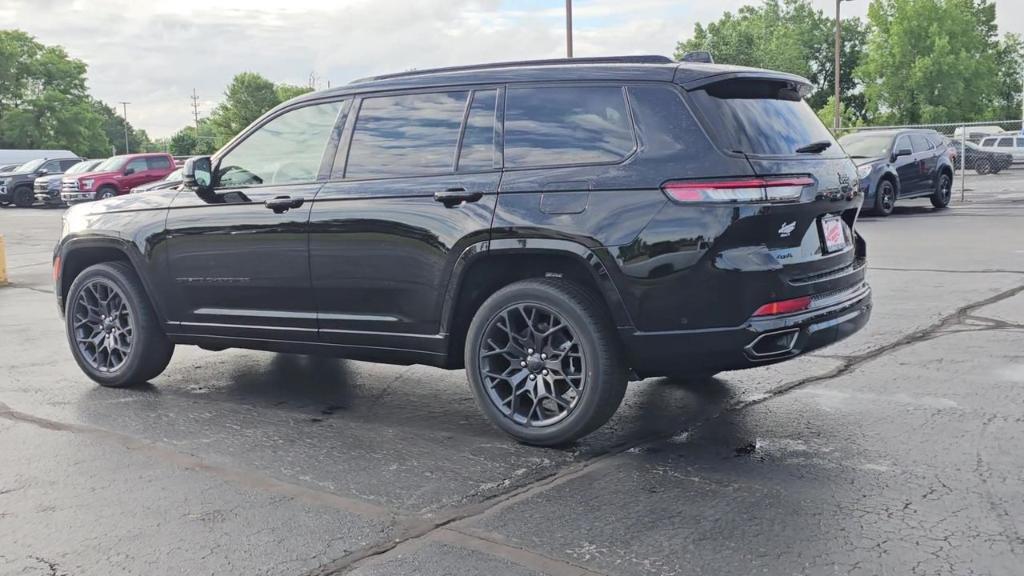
(406, 136)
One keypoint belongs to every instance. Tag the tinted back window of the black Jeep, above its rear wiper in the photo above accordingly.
(759, 117)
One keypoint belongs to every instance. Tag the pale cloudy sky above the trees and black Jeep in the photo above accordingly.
(153, 54)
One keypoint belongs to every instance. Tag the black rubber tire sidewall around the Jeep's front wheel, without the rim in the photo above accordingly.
(141, 342)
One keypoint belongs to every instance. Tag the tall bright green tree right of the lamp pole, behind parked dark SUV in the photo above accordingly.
(930, 61)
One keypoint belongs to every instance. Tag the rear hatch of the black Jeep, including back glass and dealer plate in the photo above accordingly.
(801, 239)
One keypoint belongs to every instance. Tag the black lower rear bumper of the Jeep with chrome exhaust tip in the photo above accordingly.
(755, 344)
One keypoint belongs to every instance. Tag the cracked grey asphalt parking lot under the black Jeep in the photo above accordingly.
(899, 451)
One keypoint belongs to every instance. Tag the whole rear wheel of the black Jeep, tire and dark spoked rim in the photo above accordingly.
(583, 387)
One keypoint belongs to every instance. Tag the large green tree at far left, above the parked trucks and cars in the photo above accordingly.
(44, 99)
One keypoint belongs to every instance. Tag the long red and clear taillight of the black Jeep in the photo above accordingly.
(746, 190)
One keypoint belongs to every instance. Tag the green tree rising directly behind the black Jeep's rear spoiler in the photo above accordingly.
(789, 36)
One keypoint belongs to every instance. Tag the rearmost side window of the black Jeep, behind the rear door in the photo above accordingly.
(559, 126)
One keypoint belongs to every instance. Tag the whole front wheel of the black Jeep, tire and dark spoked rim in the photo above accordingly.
(142, 354)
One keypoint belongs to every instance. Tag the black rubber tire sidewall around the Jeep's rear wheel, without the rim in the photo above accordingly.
(600, 376)
